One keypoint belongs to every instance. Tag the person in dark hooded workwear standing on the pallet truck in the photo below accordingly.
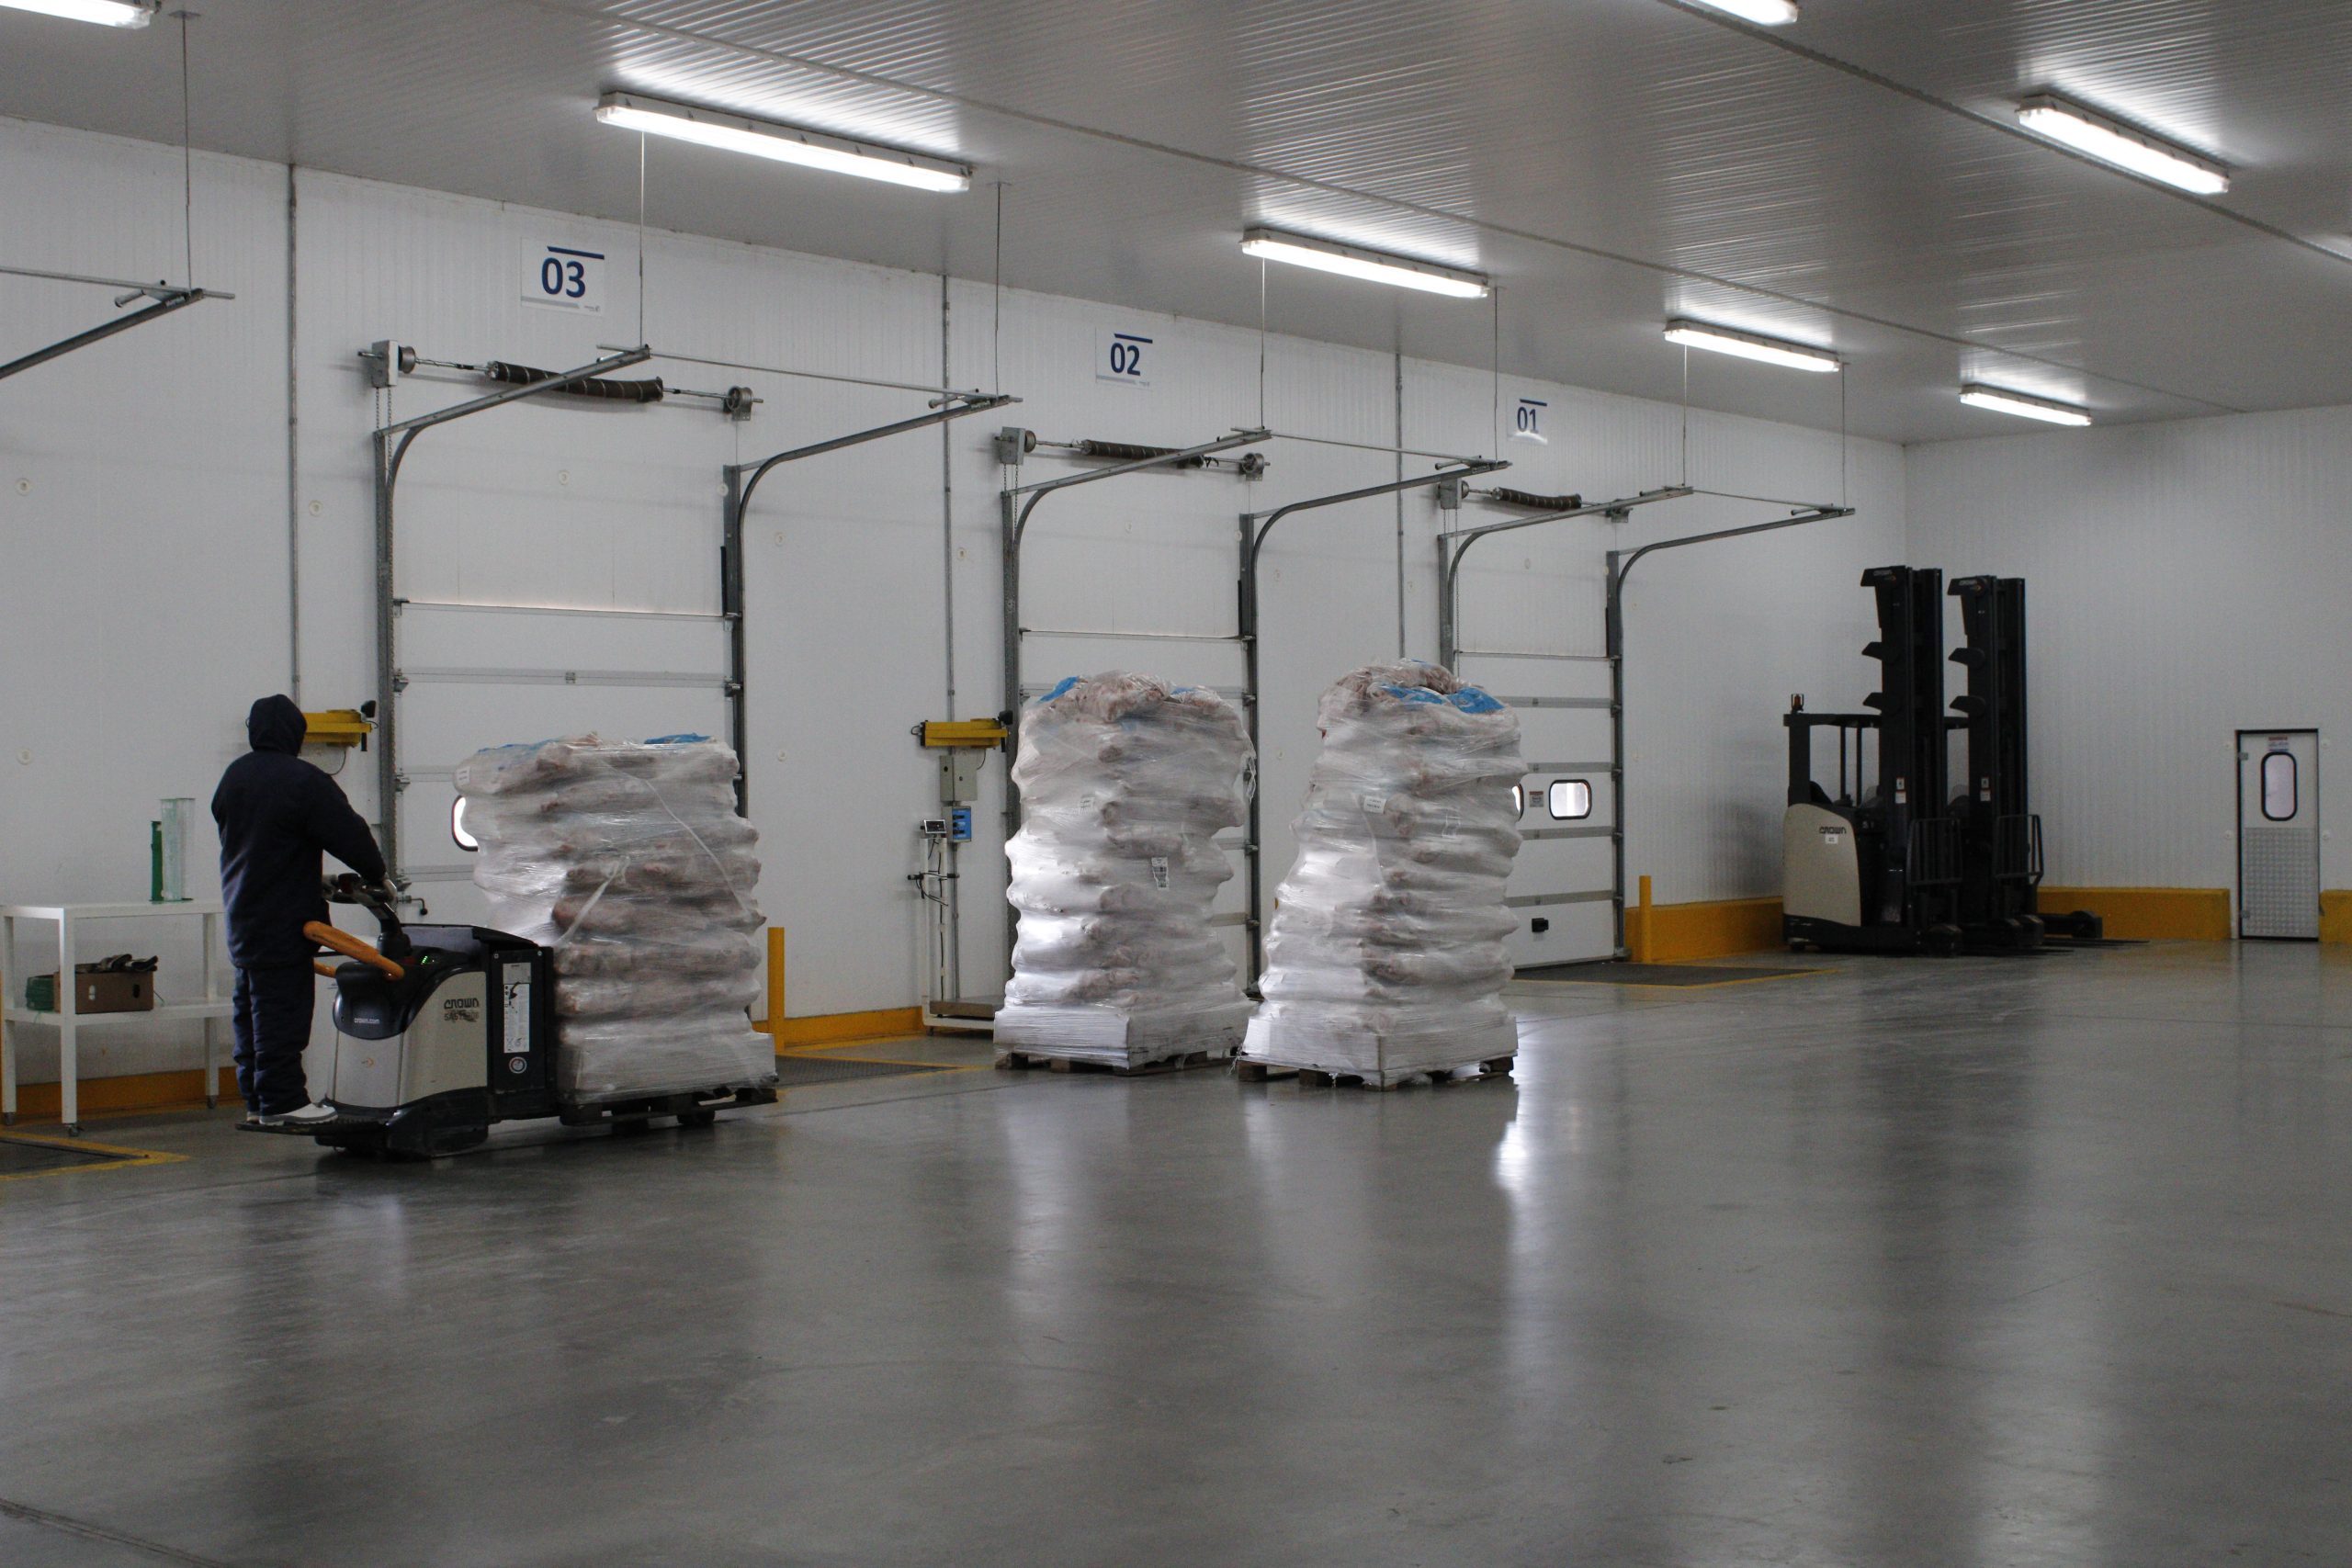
(276, 815)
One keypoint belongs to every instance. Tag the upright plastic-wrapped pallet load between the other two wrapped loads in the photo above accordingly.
(1125, 784)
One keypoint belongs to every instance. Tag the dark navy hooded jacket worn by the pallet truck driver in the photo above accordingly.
(276, 815)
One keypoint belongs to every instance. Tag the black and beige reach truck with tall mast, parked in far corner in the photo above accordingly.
(1895, 862)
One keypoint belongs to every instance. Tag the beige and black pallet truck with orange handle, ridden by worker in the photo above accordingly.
(446, 1031)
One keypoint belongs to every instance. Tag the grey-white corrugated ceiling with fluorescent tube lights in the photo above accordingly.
(1852, 180)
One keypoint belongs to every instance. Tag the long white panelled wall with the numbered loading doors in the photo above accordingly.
(147, 551)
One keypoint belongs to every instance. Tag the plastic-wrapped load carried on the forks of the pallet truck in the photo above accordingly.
(634, 866)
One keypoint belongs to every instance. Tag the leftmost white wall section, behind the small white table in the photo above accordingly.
(142, 530)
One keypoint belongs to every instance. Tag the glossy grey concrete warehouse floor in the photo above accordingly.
(1911, 1264)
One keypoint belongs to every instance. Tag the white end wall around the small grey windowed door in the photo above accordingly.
(2181, 582)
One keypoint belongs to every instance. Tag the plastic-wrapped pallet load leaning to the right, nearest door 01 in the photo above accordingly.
(1387, 951)
